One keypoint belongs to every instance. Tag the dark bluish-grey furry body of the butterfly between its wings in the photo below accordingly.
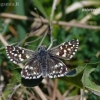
(43, 56)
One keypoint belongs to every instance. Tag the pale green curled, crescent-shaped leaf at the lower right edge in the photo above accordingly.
(88, 83)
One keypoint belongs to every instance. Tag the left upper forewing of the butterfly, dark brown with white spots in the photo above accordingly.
(18, 54)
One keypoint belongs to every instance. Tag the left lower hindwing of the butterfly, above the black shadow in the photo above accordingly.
(31, 70)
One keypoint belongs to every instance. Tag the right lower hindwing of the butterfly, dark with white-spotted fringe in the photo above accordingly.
(56, 68)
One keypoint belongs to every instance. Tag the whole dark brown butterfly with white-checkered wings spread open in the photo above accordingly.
(43, 62)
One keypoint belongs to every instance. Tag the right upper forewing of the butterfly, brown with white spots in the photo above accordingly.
(66, 50)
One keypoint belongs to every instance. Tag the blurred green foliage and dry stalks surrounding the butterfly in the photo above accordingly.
(75, 19)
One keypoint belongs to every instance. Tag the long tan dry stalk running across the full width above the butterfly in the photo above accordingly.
(61, 23)
